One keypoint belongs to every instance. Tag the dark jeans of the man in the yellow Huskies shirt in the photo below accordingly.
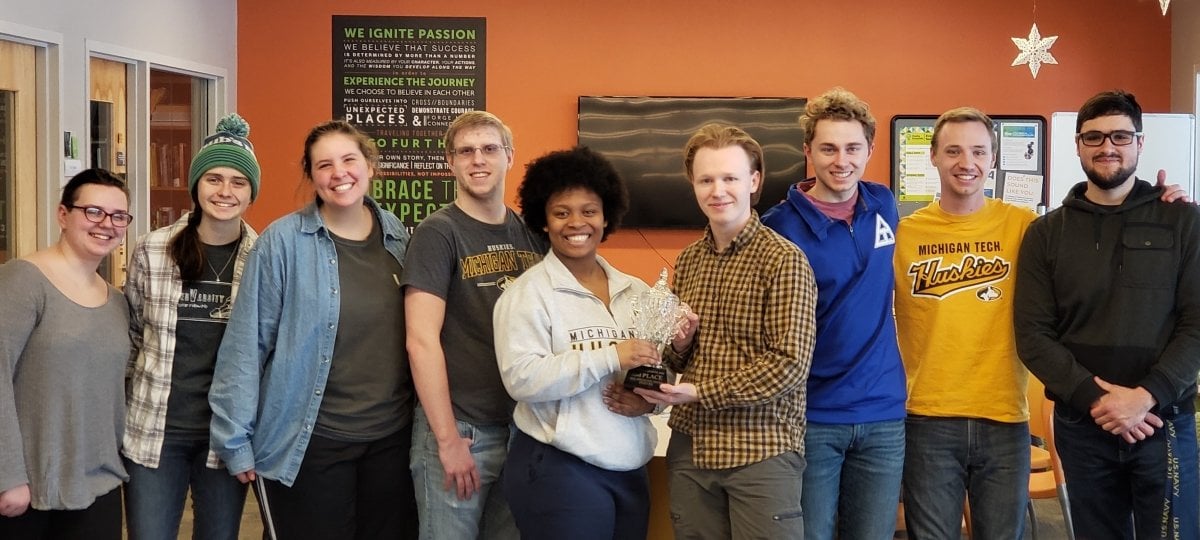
(949, 459)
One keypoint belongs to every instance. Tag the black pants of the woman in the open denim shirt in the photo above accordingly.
(349, 491)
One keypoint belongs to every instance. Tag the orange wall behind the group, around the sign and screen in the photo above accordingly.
(904, 58)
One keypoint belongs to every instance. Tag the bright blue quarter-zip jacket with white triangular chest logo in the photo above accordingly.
(857, 376)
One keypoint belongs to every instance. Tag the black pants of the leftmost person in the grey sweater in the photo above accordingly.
(101, 521)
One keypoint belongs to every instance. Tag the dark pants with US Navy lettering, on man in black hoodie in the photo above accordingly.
(1125, 491)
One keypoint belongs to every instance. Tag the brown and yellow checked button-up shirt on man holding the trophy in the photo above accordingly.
(752, 353)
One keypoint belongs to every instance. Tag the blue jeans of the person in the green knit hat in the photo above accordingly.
(154, 499)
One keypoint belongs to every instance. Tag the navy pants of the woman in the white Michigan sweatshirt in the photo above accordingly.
(555, 495)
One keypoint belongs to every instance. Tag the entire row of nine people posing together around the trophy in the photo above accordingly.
(467, 382)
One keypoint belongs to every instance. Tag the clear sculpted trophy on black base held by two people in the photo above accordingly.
(658, 316)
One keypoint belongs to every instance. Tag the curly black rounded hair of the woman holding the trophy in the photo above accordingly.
(568, 170)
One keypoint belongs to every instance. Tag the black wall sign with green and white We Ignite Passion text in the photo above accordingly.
(403, 80)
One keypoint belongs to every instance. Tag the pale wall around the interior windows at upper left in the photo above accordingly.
(194, 35)
